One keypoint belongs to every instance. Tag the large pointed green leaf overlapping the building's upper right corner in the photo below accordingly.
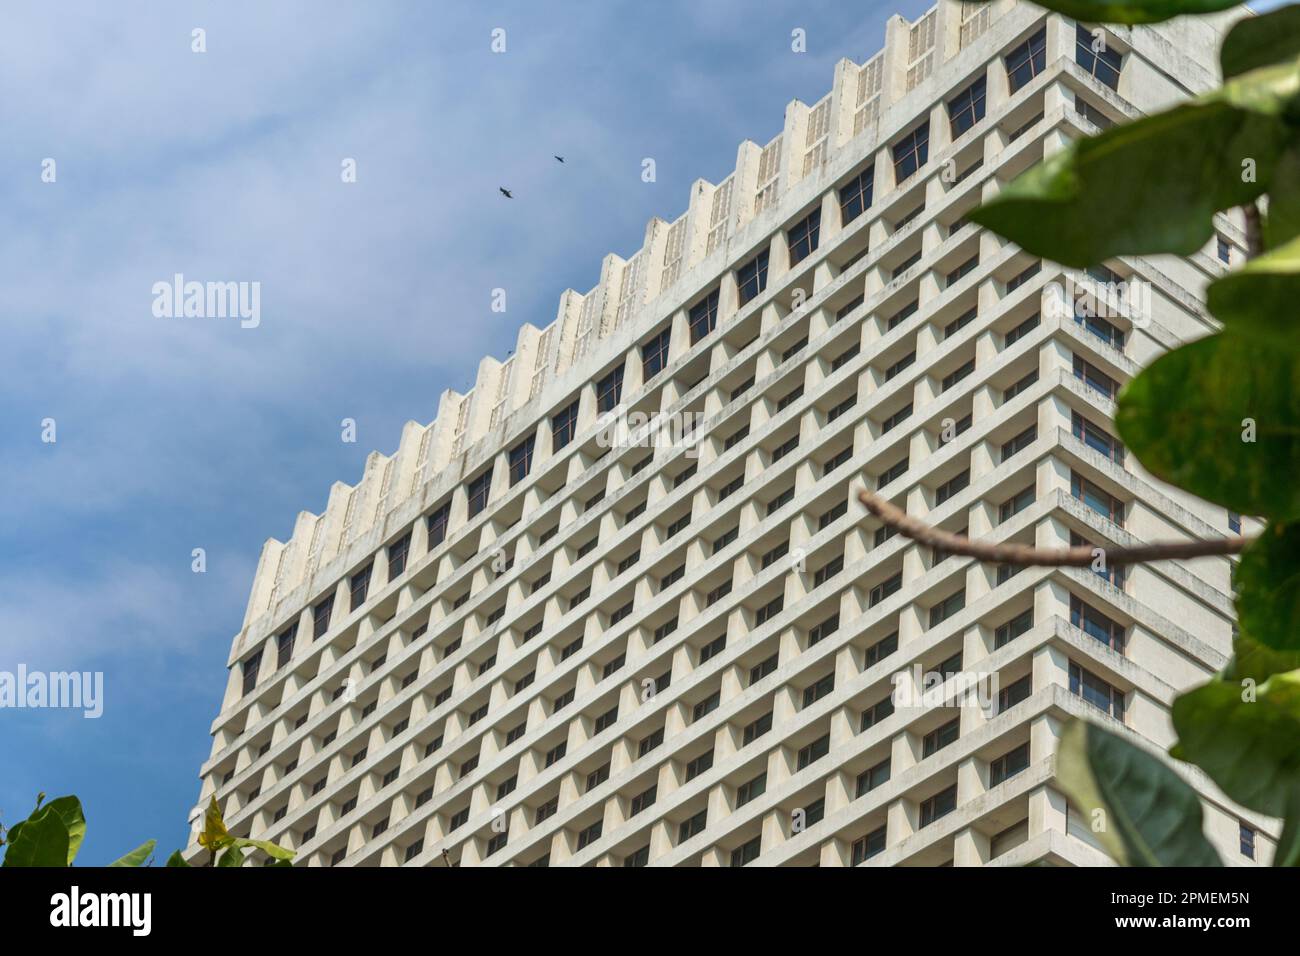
(1152, 185)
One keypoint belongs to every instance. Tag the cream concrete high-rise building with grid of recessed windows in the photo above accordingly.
(543, 634)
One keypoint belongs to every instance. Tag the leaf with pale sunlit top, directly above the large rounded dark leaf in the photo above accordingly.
(1260, 299)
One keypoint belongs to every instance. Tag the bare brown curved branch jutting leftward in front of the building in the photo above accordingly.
(1029, 556)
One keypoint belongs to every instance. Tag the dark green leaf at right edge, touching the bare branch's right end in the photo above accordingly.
(1268, 589)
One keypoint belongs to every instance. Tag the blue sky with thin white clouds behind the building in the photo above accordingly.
(175, 435)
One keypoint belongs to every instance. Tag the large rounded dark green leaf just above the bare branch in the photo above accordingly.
(1188, 417)
